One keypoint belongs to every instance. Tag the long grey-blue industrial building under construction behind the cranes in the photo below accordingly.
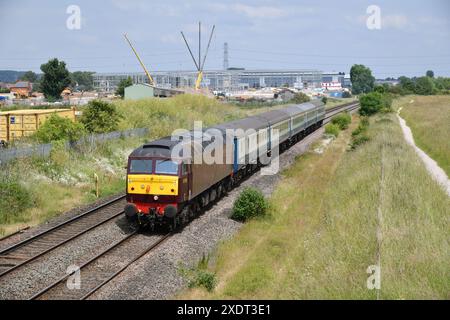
(230, 80)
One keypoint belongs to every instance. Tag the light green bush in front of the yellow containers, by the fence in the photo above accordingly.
(57, 128)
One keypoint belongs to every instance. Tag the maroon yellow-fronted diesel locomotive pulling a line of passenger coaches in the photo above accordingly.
(168, 188)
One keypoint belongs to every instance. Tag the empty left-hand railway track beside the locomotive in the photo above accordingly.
(28, 250)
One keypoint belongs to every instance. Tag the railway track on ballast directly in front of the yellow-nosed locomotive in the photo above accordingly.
(101, 269)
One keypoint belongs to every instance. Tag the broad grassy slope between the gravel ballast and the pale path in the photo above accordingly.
(325, 216)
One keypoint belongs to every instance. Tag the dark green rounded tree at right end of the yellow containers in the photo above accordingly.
(100, 116)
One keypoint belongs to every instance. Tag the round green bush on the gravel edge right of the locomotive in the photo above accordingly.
(250, 203)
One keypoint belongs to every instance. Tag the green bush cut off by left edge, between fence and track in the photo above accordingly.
(14, 198)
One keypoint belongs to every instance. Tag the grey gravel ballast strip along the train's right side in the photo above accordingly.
(156, 275)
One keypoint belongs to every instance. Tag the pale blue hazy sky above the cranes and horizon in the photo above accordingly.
(413, 36)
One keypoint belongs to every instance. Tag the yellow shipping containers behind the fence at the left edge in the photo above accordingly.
(22, 123)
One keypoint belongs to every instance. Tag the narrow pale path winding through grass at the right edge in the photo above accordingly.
(433, 168)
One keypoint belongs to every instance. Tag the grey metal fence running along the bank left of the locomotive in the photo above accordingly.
(43, 150)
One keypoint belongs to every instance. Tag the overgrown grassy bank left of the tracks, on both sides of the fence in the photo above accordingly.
(44, 188)
